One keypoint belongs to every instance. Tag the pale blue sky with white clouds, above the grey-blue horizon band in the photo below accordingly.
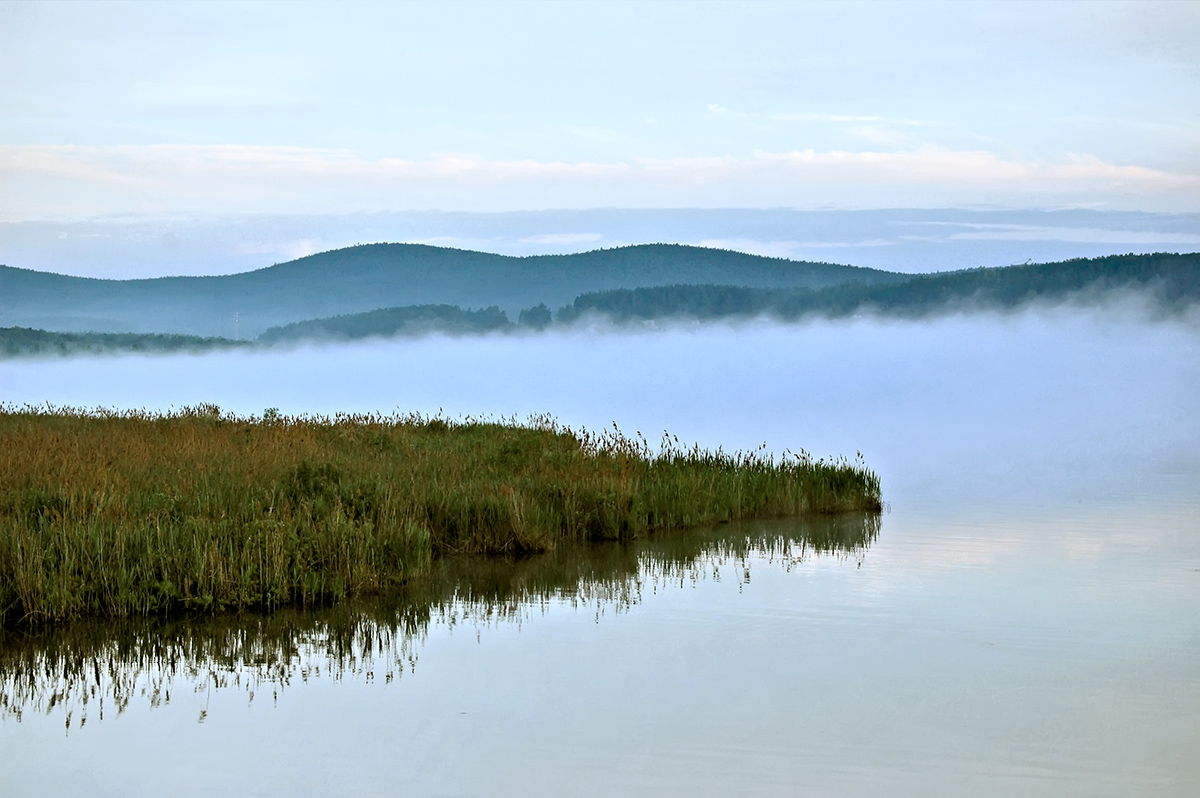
(179, 111)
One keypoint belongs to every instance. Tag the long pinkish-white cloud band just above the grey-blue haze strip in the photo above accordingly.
(39, 182)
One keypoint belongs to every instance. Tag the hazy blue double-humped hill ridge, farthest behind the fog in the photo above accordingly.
(383, 275)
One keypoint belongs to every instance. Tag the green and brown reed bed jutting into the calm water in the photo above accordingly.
(106, 514)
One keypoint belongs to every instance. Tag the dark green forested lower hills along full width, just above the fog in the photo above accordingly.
(1167, 283)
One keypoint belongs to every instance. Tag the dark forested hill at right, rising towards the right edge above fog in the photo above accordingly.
(1171, 283)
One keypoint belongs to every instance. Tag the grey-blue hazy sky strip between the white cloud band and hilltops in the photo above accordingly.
(907, 241)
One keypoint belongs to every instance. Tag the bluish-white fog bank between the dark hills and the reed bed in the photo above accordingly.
(1057, 407)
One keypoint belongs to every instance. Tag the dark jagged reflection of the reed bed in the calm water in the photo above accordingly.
(88, 670)
